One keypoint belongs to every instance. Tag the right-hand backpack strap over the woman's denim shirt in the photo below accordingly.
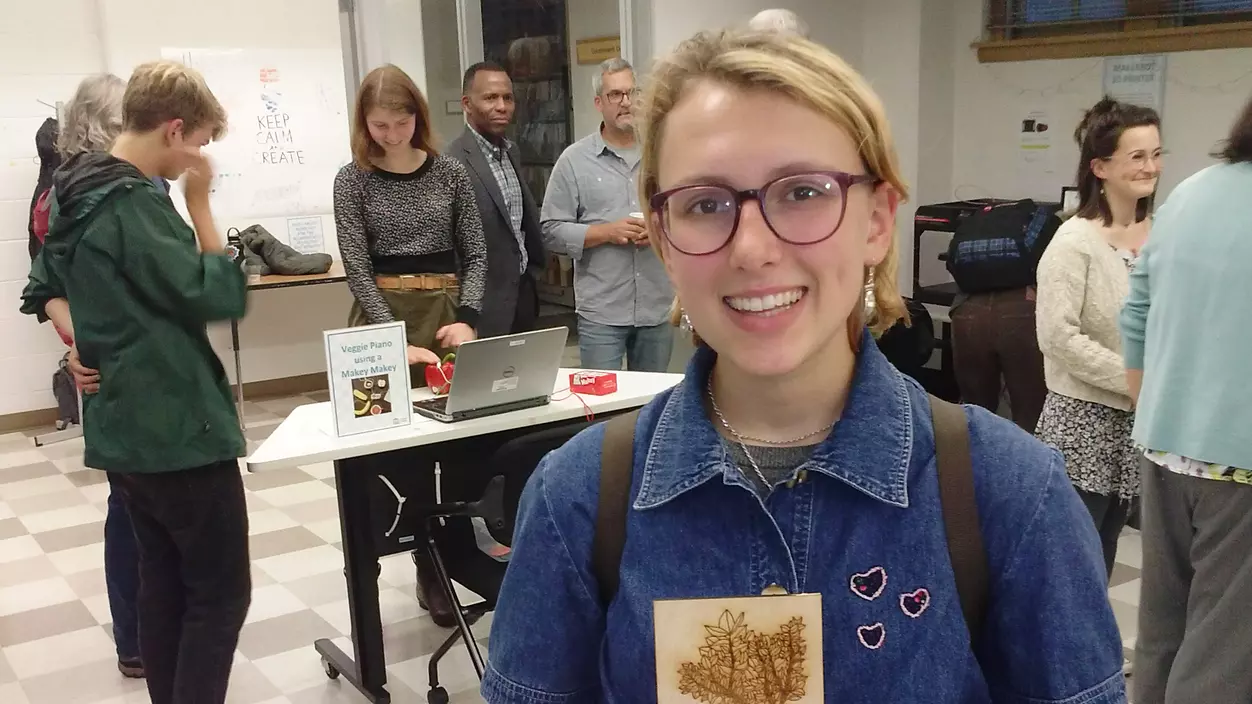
(961, 513)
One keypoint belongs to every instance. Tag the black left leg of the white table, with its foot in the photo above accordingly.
(369, 673)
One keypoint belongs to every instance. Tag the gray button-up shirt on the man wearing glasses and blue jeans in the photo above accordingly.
(614, 285)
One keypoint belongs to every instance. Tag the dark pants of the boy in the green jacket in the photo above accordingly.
(196, 587)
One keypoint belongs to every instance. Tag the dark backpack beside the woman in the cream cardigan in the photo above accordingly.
(1000, 247)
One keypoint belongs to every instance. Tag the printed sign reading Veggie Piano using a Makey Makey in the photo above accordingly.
(367, 370)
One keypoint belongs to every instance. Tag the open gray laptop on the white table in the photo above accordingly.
(499, 375)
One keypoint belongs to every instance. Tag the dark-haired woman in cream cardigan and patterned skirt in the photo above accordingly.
(1084, 281)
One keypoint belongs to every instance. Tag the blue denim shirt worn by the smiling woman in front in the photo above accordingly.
(866, 504)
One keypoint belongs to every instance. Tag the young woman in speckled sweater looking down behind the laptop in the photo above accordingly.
(411, 242)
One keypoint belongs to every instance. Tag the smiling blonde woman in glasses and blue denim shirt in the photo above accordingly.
(794, 459)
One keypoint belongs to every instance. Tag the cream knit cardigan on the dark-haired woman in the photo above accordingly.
(1084, 284)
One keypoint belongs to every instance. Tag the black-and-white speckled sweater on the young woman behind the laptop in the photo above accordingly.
(421, 222)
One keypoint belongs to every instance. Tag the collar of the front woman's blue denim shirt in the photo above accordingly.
(870, 448)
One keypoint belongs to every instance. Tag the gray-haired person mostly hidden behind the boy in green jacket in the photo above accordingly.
(91, 122)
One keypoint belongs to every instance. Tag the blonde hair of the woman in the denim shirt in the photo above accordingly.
(811, 76)
